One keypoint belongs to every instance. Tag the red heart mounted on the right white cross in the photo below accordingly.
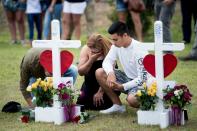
(169, 62)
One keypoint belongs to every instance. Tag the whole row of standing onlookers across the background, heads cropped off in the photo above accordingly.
(39, 13)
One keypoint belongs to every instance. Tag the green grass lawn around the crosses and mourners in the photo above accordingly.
(10, 58)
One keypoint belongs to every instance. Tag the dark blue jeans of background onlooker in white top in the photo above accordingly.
(37, 19)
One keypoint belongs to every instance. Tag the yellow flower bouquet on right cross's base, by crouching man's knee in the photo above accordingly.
(147, 96)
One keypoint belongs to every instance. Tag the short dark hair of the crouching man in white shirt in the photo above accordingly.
(118, 27)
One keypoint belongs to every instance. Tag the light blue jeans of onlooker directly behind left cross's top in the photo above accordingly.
(49, 16)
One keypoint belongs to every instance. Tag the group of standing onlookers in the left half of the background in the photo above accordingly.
(40, 13)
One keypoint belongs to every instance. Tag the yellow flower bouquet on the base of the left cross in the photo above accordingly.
(42, 92)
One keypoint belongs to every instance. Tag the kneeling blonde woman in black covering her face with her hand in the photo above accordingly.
(91, 58)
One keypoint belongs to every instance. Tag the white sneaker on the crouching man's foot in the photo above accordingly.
(113, 109)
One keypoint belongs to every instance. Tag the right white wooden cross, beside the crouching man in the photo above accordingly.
(159, 47)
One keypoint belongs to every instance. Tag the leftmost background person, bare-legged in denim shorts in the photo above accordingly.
(16, 18)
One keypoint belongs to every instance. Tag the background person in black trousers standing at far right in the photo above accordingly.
(188, 10)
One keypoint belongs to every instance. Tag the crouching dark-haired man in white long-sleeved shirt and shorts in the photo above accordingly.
(133, 74)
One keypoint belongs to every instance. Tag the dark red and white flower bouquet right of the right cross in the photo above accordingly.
(178, 96)
